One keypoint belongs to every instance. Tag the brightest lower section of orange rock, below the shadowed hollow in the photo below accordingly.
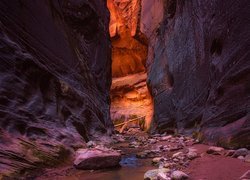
(130, 99)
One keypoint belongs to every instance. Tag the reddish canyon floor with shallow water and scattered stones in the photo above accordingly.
(142, 152)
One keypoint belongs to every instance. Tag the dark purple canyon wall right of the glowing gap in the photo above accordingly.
(199, 68)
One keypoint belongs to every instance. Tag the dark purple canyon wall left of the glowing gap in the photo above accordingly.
(55, 76)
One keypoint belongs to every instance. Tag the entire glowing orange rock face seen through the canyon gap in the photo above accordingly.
(129, 94)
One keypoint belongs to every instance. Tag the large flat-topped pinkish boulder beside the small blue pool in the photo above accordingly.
(96, 158)
